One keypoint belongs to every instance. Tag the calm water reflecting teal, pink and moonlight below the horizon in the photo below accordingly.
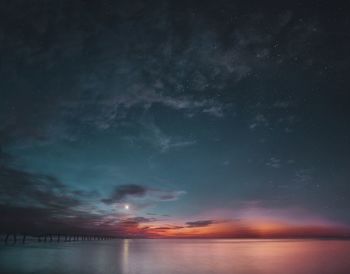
(179, 256)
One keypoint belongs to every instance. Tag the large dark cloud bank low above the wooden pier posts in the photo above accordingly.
(38, 203)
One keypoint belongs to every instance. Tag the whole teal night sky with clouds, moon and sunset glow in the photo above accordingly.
(175, 118)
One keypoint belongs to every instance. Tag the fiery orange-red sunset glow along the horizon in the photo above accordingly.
(241, 229)
